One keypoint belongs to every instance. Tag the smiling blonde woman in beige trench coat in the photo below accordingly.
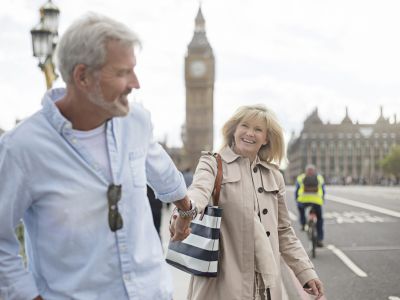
(255, 227)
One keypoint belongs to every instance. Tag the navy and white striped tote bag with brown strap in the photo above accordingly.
(198, 253)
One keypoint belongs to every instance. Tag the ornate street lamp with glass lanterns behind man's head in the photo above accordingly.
(44, 40)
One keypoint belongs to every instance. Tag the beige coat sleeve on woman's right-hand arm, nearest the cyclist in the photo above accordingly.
(290, 246)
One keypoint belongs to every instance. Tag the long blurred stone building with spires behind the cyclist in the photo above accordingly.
(344, 153)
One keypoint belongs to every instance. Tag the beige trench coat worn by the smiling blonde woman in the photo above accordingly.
(235, 280)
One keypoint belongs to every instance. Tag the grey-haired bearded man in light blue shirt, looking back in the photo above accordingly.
(76, 173)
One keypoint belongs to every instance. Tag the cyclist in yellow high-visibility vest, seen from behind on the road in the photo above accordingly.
(310, 191)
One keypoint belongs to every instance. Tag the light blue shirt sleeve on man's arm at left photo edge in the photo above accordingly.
(15, 281)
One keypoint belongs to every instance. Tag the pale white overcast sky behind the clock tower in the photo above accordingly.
(292, 56)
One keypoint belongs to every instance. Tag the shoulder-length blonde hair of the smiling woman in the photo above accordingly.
(274, 150)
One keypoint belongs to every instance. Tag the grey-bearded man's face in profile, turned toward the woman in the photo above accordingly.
(115, 80)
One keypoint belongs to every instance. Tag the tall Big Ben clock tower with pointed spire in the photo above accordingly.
(199, 80)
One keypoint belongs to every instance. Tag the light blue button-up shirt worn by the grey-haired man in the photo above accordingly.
(50, 180)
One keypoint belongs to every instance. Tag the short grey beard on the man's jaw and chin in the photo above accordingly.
(117, 108)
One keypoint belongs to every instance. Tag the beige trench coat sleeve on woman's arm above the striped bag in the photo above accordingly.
(203, 181)
